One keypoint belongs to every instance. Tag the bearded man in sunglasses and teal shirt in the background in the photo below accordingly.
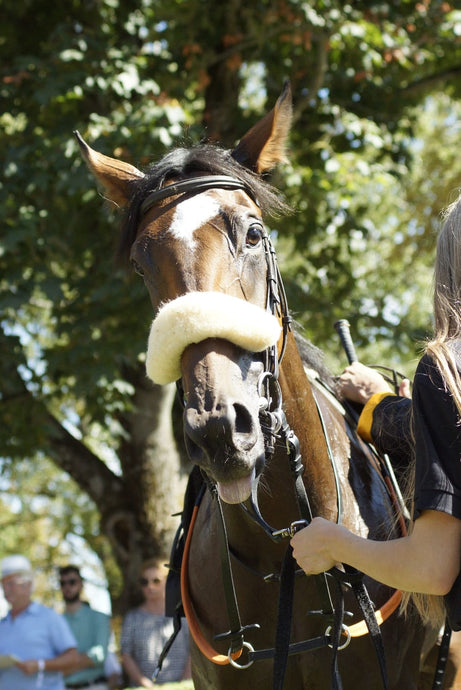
(91, 630)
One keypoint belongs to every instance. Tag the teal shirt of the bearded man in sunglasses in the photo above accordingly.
(92, 631)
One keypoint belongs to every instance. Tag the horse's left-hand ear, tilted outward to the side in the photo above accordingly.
(116, 177)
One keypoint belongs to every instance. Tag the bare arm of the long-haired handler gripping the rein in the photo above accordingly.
(426, 561)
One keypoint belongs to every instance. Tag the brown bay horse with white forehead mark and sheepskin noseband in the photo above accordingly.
(262, 421)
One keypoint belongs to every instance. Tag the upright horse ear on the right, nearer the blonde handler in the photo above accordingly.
(264, 145)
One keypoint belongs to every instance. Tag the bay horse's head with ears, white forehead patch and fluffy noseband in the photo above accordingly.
(195, 232)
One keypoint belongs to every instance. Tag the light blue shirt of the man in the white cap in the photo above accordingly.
(38, 632)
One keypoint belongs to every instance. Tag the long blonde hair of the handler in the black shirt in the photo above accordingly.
(447, 329)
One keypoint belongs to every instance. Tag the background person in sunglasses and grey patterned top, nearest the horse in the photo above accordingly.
(145, 631)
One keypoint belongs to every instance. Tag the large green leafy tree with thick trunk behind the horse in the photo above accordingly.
(136, 78)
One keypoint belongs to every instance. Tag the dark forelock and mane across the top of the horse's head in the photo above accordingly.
(180, 164)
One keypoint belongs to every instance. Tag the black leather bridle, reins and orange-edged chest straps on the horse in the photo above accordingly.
(276, 428)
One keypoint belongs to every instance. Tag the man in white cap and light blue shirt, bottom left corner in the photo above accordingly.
(36, 644)
